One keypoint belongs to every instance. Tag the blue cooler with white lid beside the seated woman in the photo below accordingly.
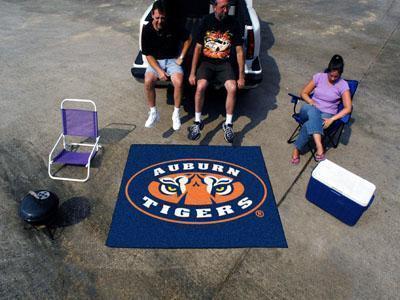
(339, 192)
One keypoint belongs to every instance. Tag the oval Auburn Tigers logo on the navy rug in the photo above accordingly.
(196, 191)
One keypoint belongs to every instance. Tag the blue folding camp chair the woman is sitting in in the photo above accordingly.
(333, 133)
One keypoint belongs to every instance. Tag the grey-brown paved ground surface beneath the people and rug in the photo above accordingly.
(51, 50)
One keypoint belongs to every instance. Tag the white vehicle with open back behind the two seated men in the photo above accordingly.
(190, 14)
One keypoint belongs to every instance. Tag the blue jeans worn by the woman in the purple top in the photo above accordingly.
(313, 123)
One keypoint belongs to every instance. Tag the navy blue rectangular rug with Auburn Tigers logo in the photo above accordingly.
(195, 197)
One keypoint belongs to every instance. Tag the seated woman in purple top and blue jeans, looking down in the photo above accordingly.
(321, 109)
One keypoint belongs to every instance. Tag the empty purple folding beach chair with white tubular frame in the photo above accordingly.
(77, 123)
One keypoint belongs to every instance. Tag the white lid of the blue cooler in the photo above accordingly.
(343, 181)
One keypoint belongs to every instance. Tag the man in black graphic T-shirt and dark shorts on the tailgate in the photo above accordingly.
(218, 35)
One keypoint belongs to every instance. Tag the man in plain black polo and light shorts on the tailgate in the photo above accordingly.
(160, 45)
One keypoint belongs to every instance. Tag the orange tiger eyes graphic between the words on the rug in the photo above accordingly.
(196, 188)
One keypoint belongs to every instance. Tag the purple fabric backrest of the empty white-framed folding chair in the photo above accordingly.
(78, 122)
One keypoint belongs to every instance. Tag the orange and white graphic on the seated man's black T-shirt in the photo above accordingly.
(217, 45)
